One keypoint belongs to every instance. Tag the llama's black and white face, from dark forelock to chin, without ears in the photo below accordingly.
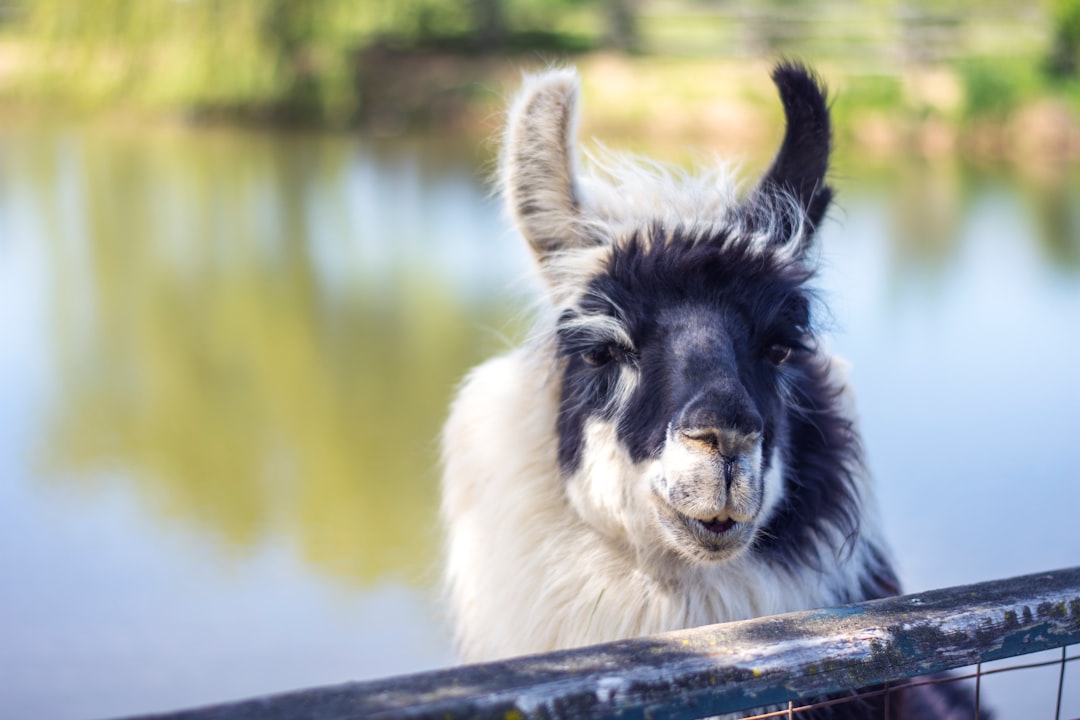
(677, 361)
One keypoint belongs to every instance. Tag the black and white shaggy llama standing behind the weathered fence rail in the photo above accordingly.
(673, 447)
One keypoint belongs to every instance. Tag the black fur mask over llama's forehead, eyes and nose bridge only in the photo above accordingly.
(695, 310)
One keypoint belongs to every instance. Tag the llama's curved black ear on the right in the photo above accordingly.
(799, 171)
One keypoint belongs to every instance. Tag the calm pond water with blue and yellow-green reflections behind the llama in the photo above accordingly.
(225, 359)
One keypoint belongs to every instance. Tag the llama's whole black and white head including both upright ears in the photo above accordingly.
(682, 327)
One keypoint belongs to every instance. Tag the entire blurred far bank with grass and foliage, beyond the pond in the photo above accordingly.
(965, 80)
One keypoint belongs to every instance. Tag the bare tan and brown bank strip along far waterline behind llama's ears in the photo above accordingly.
(1001, 111)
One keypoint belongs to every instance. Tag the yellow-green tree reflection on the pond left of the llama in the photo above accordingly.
(217, 341)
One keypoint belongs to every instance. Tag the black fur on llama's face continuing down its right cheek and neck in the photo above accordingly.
(705, 311)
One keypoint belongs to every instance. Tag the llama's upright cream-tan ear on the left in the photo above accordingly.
(538, 170)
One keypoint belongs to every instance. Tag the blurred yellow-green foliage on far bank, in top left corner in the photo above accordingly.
(206, 55)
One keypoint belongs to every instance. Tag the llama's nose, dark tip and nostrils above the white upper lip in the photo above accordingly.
(720, 423)
